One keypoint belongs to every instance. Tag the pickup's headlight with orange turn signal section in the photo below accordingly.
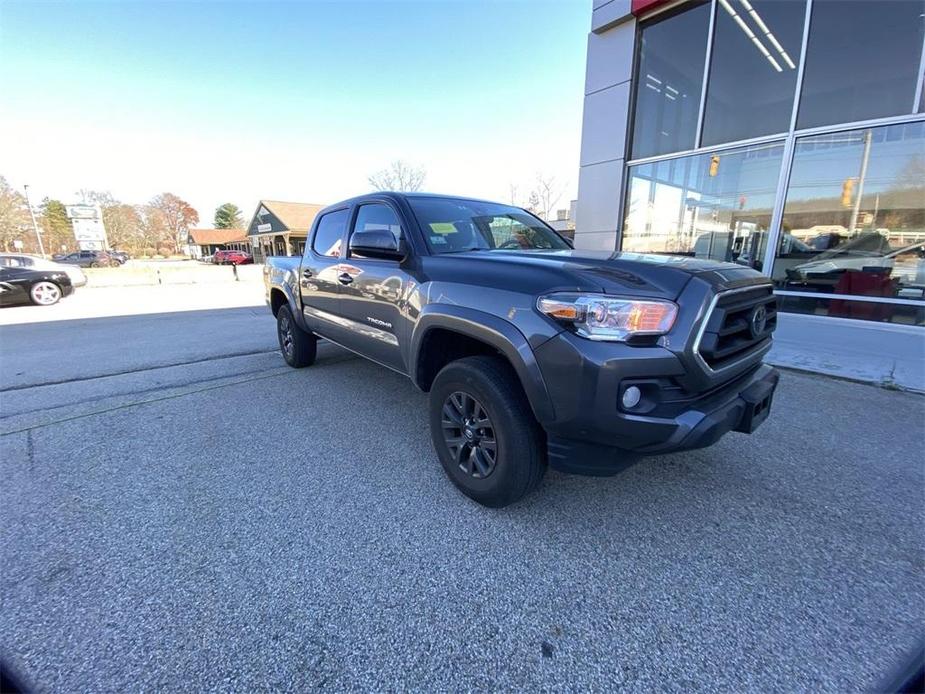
(598, 317)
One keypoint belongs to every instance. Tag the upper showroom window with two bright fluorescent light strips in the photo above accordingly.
(753, 69)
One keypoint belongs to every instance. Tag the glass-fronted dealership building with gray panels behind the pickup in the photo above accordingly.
(787, 135)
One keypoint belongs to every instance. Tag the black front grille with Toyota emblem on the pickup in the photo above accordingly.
(735, 327)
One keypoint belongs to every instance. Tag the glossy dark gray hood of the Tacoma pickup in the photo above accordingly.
(638, 274)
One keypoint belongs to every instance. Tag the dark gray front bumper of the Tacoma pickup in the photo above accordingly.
(594, 436)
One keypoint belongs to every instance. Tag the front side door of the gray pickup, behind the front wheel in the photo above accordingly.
(373, 291)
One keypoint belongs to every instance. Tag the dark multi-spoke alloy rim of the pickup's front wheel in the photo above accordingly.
(469, 435)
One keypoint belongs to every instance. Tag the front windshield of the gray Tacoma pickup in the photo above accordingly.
(452, 225)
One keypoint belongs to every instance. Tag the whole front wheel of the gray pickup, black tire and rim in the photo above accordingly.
(494, 396)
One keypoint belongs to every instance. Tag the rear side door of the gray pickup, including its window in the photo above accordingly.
(318, 280)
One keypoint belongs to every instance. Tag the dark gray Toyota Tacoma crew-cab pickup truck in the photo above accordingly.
(533, 353)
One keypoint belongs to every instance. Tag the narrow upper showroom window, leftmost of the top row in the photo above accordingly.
(672, 54)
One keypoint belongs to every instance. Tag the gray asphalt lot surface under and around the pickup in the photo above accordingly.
(229, 523)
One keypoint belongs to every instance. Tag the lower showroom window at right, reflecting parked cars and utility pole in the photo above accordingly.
(854, 216)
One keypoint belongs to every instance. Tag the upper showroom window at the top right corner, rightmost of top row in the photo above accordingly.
(862, 60)
